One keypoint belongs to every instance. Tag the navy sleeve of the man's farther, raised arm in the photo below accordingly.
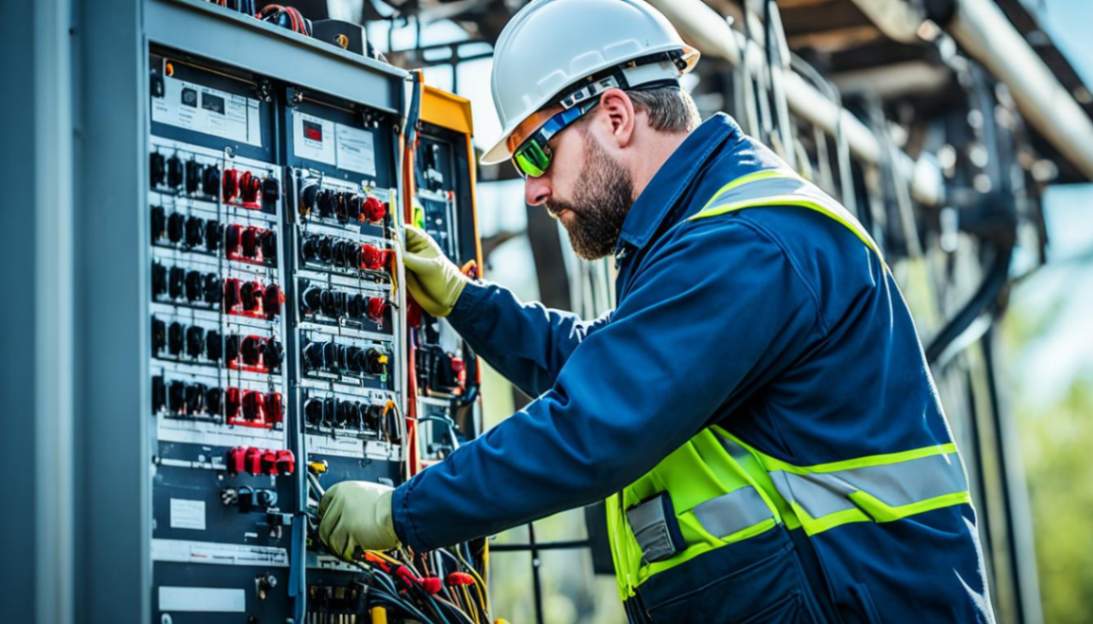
(527, 344)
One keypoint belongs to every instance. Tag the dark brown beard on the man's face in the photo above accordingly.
(601, 204)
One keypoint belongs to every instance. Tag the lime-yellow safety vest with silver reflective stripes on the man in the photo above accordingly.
(716, 490)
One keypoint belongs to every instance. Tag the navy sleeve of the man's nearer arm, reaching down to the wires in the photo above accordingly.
(714, 312)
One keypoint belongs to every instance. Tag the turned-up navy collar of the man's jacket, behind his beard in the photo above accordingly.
(656, 203)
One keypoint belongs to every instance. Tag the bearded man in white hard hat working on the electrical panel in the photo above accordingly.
(757, 410)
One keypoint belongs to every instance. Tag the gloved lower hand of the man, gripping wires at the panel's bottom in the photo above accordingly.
(357, 514)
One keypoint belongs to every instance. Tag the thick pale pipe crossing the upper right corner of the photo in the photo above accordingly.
(983, 30)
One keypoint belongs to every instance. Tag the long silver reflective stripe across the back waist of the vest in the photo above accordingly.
(895, 485)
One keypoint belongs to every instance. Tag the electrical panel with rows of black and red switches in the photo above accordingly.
(286, 355)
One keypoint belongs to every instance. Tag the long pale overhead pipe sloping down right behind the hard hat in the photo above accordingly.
(712, 34)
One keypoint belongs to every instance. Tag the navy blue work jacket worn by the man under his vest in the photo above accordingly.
(777, 323)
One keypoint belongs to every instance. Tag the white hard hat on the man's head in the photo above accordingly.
(551, 48)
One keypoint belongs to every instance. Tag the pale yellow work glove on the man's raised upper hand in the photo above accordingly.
(434, 281)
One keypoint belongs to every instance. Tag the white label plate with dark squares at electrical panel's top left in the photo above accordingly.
(208, 111)
